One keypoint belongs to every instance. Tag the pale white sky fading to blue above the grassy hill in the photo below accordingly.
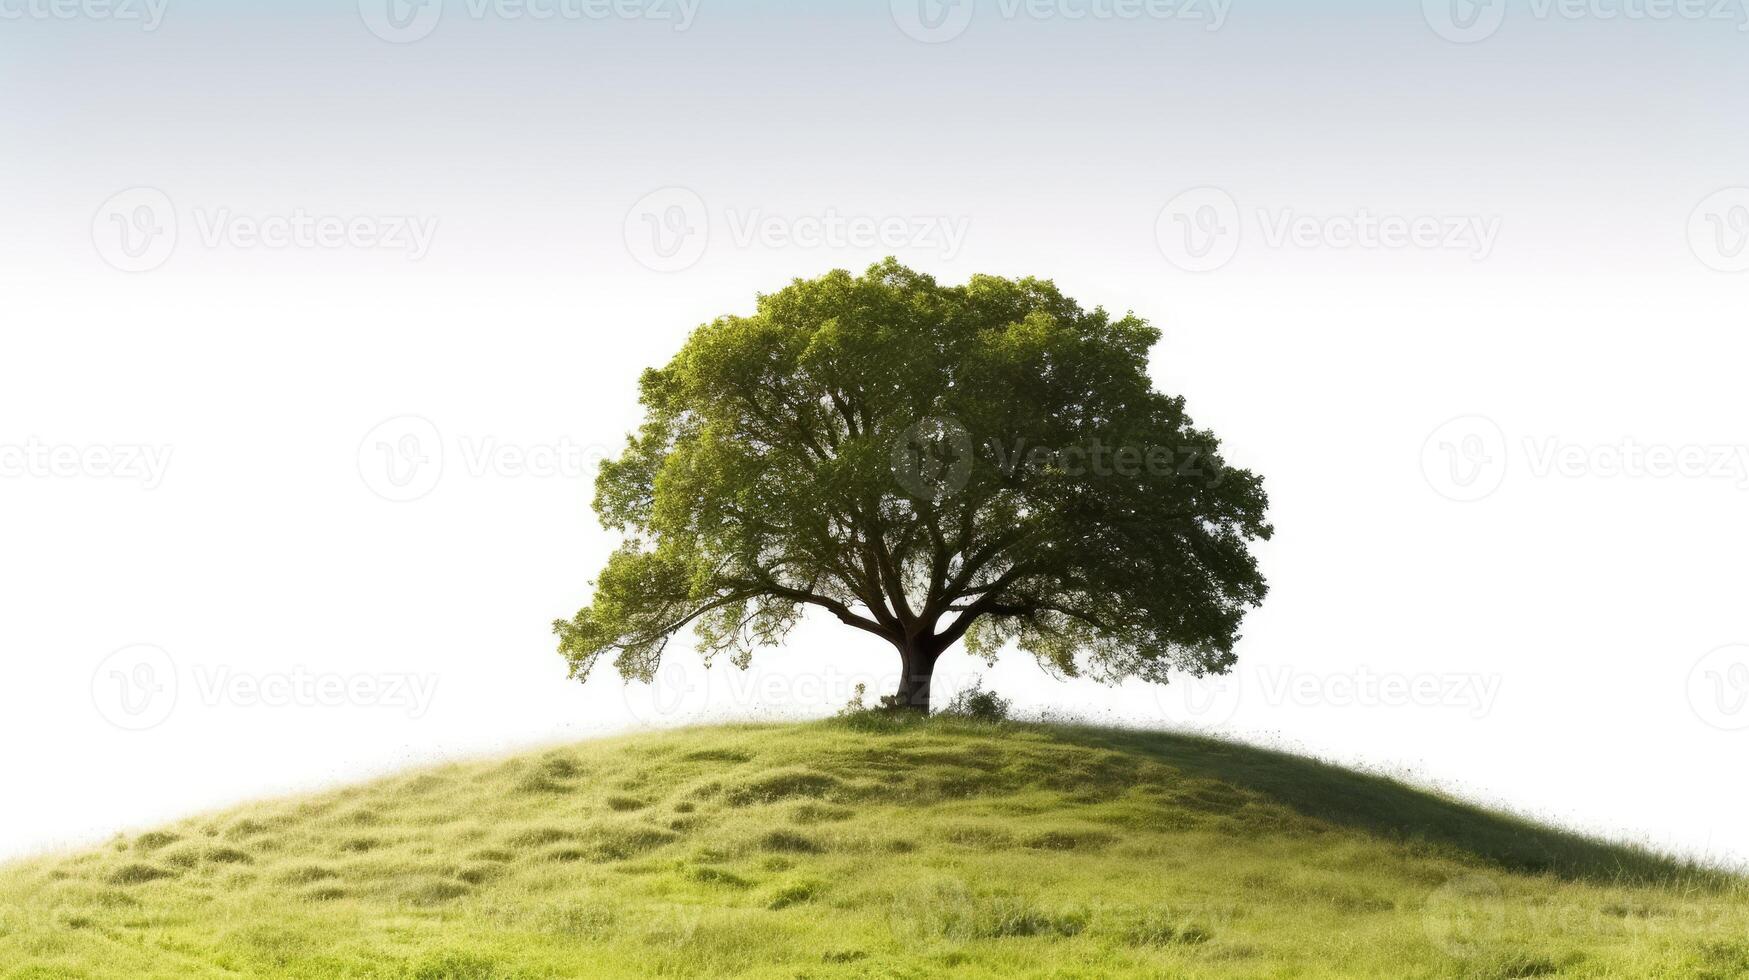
(1500, 606)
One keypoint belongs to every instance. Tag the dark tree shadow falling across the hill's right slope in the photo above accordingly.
(1386, 808)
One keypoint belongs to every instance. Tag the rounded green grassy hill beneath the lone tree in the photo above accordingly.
(870, 848)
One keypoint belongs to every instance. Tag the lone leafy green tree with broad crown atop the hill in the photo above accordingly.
(928, 465)
